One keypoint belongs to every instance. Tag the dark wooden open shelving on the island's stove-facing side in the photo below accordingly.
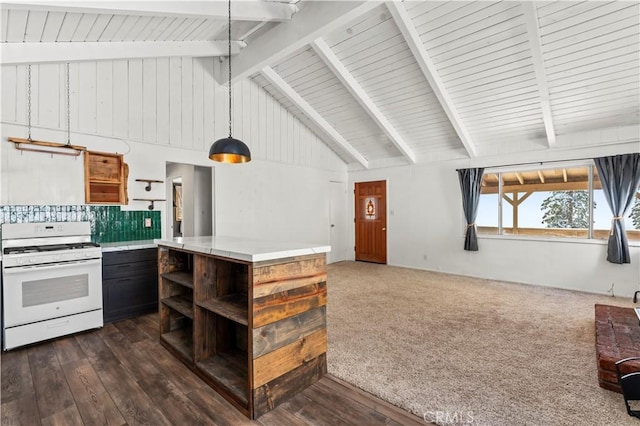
(204, 316)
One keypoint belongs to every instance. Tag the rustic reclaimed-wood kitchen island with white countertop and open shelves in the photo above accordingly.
(249, 317)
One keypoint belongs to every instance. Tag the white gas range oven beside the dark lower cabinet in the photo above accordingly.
(51, 281)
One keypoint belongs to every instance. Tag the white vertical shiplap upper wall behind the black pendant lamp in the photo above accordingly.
(172, 102)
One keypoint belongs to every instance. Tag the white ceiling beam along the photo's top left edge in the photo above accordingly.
(249, 10)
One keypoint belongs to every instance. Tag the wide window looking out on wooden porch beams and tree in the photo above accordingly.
(550, 202)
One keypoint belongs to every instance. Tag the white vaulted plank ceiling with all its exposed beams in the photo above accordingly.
(381, 83)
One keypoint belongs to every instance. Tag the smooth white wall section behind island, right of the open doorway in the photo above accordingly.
(286, 203)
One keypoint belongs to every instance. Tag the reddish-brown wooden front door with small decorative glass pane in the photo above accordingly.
(371, 221)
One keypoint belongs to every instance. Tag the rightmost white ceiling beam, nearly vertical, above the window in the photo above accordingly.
(531, 19)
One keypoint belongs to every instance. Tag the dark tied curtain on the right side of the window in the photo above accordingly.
(620, 176)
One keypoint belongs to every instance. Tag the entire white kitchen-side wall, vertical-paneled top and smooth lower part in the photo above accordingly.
(169, 110)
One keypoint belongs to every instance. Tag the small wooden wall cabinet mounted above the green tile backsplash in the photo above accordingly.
(105, 178)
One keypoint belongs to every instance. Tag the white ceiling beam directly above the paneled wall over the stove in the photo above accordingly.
(30, 53)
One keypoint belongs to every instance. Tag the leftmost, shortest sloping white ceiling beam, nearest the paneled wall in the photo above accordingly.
(308, 110)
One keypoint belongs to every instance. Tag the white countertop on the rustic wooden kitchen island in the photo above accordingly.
(244, 249)
